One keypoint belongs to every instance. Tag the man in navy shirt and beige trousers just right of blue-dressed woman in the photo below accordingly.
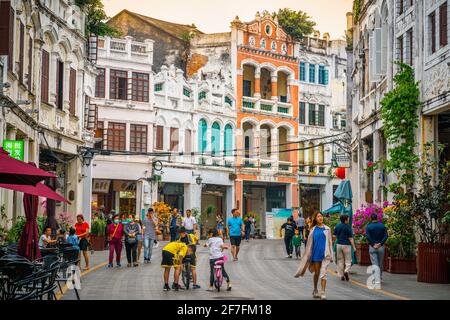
(344, 236)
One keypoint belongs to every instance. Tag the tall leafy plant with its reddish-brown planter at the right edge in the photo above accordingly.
(431, 211)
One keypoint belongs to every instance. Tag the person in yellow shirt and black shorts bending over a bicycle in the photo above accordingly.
(172, 256)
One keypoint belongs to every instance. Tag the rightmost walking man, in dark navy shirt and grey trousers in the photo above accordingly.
(376, 234)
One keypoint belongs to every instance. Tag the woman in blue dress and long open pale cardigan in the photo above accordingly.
(318, 254)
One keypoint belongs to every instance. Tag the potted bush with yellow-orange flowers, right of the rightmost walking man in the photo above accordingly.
(402, 240)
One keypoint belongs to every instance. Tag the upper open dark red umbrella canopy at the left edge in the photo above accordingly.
(18, 172)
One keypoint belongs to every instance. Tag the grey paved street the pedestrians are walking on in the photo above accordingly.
(262, 272)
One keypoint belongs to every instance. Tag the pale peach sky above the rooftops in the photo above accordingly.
(215, 15)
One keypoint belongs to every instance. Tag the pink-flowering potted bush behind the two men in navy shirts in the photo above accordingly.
(361, 219)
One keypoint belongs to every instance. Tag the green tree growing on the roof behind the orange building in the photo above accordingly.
(297, 24)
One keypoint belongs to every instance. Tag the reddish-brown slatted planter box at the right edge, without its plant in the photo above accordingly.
(432, 266)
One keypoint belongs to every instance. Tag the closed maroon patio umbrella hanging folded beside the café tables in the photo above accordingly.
(29, 240)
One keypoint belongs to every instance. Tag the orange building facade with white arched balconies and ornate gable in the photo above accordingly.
(266, 79)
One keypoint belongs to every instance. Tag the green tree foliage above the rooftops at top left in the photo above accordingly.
(96, 17)
